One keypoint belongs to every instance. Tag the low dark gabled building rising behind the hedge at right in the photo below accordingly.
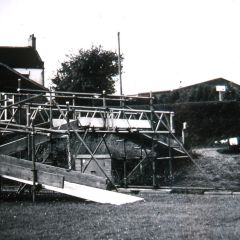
(204, 91)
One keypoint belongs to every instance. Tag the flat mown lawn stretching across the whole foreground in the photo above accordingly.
(160, 216)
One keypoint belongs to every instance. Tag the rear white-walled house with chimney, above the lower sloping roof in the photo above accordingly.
(24, 60)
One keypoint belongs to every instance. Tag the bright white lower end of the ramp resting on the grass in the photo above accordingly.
(95, 194)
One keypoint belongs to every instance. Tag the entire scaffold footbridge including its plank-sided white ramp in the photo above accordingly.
(98, 133)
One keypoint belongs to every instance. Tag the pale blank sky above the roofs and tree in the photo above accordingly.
(166, 44)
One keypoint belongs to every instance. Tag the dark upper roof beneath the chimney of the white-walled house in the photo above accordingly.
(21, 57)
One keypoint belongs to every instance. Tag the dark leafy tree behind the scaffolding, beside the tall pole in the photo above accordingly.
(90, 71)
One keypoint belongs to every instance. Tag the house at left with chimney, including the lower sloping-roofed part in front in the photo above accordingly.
(20, 67)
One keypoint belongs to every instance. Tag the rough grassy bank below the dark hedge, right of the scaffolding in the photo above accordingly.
(219, 170)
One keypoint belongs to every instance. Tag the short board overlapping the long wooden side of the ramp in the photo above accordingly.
(51, 179)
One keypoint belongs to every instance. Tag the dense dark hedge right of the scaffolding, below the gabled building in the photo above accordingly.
(207, 121)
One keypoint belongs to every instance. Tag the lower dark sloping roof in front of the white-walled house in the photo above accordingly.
(9, 80)
